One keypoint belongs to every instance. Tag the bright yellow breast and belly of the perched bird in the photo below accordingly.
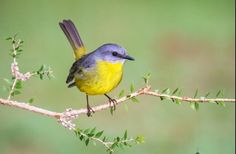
(105, 77)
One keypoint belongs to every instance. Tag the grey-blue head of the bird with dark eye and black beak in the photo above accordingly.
(112, 53)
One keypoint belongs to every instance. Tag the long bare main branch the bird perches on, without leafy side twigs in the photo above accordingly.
(75, 113)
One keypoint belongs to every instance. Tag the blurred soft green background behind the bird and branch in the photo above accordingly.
(187, 44)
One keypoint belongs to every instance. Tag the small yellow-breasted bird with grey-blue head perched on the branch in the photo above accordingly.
(97, 72)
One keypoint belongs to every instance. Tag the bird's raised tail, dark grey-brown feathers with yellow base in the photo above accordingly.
(73, 37)
